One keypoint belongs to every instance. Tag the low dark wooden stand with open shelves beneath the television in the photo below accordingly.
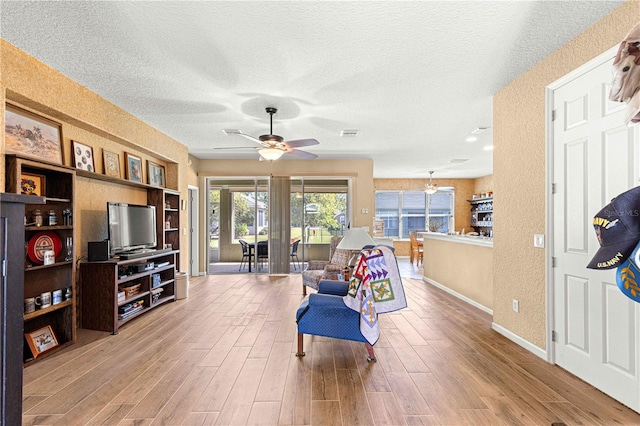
(101, 307)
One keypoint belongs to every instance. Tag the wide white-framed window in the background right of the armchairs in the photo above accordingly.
(406, 211)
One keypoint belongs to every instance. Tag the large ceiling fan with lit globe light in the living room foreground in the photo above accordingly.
(274, 146)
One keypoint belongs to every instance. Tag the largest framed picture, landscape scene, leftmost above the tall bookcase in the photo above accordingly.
(32, 136)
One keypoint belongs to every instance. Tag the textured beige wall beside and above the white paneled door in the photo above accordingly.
(519, 175)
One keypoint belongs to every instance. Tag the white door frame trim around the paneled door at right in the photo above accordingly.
(549, 180)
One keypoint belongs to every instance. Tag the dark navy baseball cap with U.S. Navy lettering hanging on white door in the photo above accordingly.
(617, 227)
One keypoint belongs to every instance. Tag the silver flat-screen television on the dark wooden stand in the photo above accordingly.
(131, 227)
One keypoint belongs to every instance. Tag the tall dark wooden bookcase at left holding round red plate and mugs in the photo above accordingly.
(49, 266)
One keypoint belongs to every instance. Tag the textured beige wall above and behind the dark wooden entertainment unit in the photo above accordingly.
(91, 120)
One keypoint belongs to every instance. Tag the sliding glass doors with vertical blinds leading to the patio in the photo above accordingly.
(246, 233)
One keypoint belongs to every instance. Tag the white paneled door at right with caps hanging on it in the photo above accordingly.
(594, 159)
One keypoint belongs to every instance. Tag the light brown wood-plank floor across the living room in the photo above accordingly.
(225, 355)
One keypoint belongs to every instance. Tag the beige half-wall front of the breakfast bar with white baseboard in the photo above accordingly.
(461, 265)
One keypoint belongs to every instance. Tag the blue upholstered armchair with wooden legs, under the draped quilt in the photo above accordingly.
(325, 314)
